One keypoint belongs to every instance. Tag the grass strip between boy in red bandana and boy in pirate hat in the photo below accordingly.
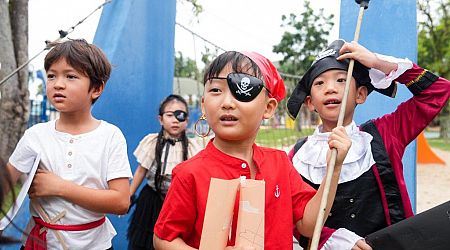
(280, 137)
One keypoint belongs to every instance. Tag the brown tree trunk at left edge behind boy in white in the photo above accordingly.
(14, 102)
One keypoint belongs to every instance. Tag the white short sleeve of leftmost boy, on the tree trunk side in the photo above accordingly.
(23, 156)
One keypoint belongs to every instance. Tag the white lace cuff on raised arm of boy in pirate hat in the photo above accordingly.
(382, 81)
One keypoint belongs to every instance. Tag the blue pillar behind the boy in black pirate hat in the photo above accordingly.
(388, 27)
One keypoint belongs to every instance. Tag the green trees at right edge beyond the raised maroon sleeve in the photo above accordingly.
(434, 47)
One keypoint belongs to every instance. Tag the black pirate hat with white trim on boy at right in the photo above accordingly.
(326, 60)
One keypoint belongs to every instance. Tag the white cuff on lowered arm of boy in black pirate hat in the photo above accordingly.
(342, 239)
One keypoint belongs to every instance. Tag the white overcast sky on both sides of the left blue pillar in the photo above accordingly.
(230, 24)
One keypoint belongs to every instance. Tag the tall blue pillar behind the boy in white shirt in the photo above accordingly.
(138, 38)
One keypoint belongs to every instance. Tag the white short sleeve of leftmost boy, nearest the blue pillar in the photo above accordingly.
(118, 164)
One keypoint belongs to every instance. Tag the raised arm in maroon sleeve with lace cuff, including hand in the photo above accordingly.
(431, 93)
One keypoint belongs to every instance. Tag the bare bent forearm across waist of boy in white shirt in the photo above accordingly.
(114, 200)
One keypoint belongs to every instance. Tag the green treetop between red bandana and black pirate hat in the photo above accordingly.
(307, 36)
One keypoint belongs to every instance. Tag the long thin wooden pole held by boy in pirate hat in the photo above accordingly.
(323, 203)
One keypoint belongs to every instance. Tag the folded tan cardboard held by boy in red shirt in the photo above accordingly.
(219, 214)
